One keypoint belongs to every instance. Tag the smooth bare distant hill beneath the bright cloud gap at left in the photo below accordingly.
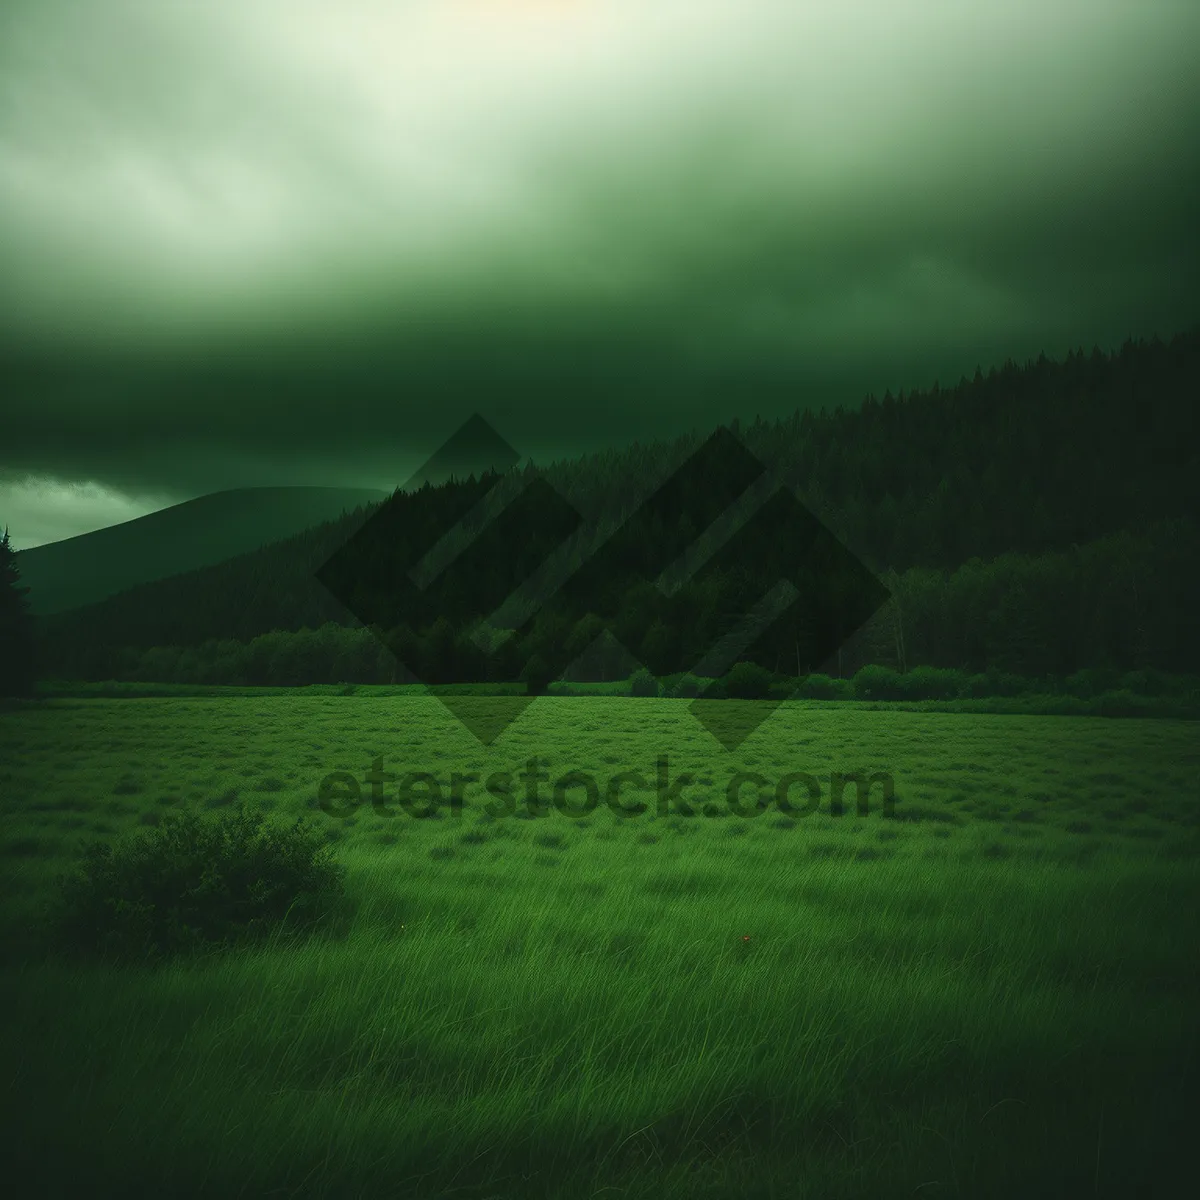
(197, 533)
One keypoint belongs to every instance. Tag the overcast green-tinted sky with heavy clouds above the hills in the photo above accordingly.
(287, 242)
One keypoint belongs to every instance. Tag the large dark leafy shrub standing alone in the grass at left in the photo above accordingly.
(194, 885)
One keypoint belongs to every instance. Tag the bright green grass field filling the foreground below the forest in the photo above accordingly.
(991, 993)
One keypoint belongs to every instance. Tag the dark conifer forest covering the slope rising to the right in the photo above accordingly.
(1039, 520)
